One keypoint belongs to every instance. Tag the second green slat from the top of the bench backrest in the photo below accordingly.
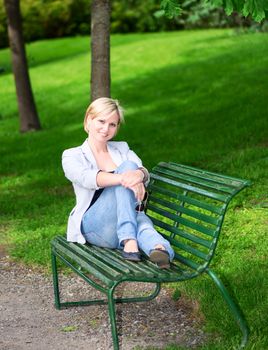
(197, 180)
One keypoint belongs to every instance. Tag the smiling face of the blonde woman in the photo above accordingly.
(103, 128)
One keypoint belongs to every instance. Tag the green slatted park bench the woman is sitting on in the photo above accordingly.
(187, 206)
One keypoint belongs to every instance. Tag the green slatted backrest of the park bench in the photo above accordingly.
(187, 206)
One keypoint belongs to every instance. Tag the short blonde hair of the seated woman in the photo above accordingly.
(103, 106)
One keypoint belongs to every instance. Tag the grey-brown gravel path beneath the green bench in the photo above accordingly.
(29, 320)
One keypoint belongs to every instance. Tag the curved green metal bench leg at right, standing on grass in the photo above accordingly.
(233, 308)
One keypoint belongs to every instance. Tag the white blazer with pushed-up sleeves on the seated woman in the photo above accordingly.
(81, 169)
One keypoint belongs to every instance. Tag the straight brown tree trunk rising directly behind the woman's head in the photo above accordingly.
(100, 49)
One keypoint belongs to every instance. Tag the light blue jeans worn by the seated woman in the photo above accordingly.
(113, 219)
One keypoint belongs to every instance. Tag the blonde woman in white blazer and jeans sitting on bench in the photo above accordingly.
(109, 183)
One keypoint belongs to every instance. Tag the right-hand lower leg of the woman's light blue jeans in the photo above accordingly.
(148, 237)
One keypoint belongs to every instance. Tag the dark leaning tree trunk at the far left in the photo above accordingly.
(26, 105)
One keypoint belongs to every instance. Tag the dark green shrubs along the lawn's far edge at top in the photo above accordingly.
(59, 18)
